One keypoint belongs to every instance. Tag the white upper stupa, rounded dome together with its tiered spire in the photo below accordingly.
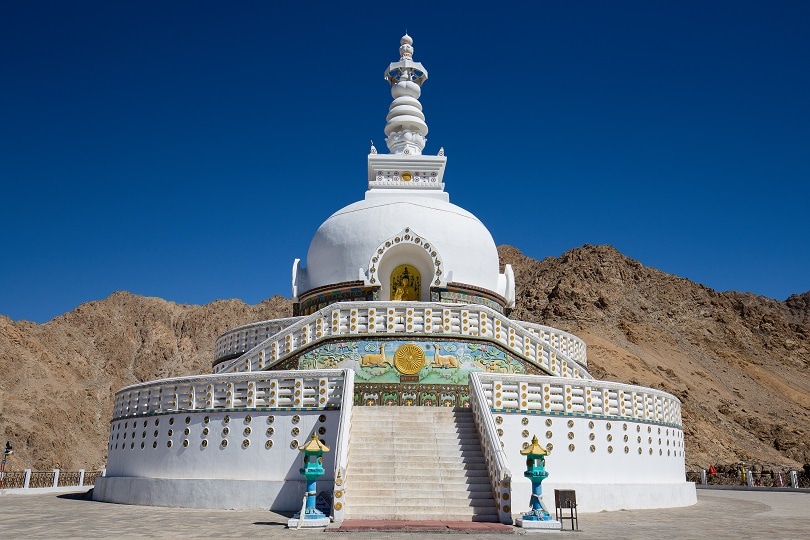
(405, 218)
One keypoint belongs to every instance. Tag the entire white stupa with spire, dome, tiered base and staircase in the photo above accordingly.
(400, 357)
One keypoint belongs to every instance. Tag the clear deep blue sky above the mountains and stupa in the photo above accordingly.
(190, 149)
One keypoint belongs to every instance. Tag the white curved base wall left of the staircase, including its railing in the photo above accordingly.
(221, 441)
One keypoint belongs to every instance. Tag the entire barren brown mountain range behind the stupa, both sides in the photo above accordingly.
(739, 362)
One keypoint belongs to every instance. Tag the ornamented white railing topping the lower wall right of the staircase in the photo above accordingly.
(578, 397)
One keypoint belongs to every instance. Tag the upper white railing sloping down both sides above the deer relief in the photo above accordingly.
(354, 319)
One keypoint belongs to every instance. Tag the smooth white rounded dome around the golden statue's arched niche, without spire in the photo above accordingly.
(345, 245)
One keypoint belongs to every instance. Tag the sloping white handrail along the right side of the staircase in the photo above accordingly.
(497, 463)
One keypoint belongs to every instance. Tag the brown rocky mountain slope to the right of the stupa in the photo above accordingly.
(740, 363)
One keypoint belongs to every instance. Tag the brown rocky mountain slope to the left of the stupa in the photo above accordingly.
(58, 379)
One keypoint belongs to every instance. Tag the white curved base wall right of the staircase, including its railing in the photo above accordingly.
(619, 446)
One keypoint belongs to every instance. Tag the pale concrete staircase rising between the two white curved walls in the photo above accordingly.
(417, 463)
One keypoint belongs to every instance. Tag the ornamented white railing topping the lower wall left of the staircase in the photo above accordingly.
(315, 389)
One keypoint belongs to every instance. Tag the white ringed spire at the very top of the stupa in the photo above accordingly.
(405, 128)
